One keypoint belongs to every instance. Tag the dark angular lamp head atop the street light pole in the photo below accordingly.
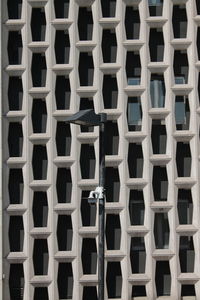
(87, 118)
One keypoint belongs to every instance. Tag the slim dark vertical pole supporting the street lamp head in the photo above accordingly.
(101, 213)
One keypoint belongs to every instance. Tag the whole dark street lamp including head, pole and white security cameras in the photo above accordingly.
(90, 118)
